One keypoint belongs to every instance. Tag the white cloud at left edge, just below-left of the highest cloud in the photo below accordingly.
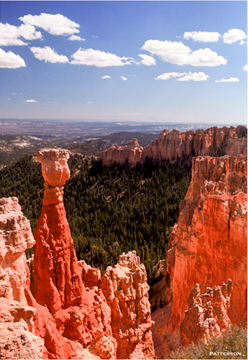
(13, 35)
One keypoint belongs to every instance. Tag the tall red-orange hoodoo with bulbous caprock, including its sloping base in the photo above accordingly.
(81, 315)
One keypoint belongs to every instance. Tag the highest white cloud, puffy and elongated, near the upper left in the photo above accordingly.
(54, 24)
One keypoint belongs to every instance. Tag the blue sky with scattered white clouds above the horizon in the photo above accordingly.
(111, 60)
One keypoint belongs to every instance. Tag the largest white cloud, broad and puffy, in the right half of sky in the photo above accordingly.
(180, 54)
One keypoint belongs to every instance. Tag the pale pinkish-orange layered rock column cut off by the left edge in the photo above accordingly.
(17, 339)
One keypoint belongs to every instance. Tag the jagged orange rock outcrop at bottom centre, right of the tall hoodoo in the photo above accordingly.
(126, 290)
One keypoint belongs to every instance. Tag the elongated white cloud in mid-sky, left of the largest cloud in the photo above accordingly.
(98, 58)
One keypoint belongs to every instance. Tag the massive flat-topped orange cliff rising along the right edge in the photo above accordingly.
(208, 244)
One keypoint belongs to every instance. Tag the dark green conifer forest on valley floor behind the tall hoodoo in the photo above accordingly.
(110, 210)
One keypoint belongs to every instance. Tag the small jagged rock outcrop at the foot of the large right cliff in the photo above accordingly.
(206, 316)
